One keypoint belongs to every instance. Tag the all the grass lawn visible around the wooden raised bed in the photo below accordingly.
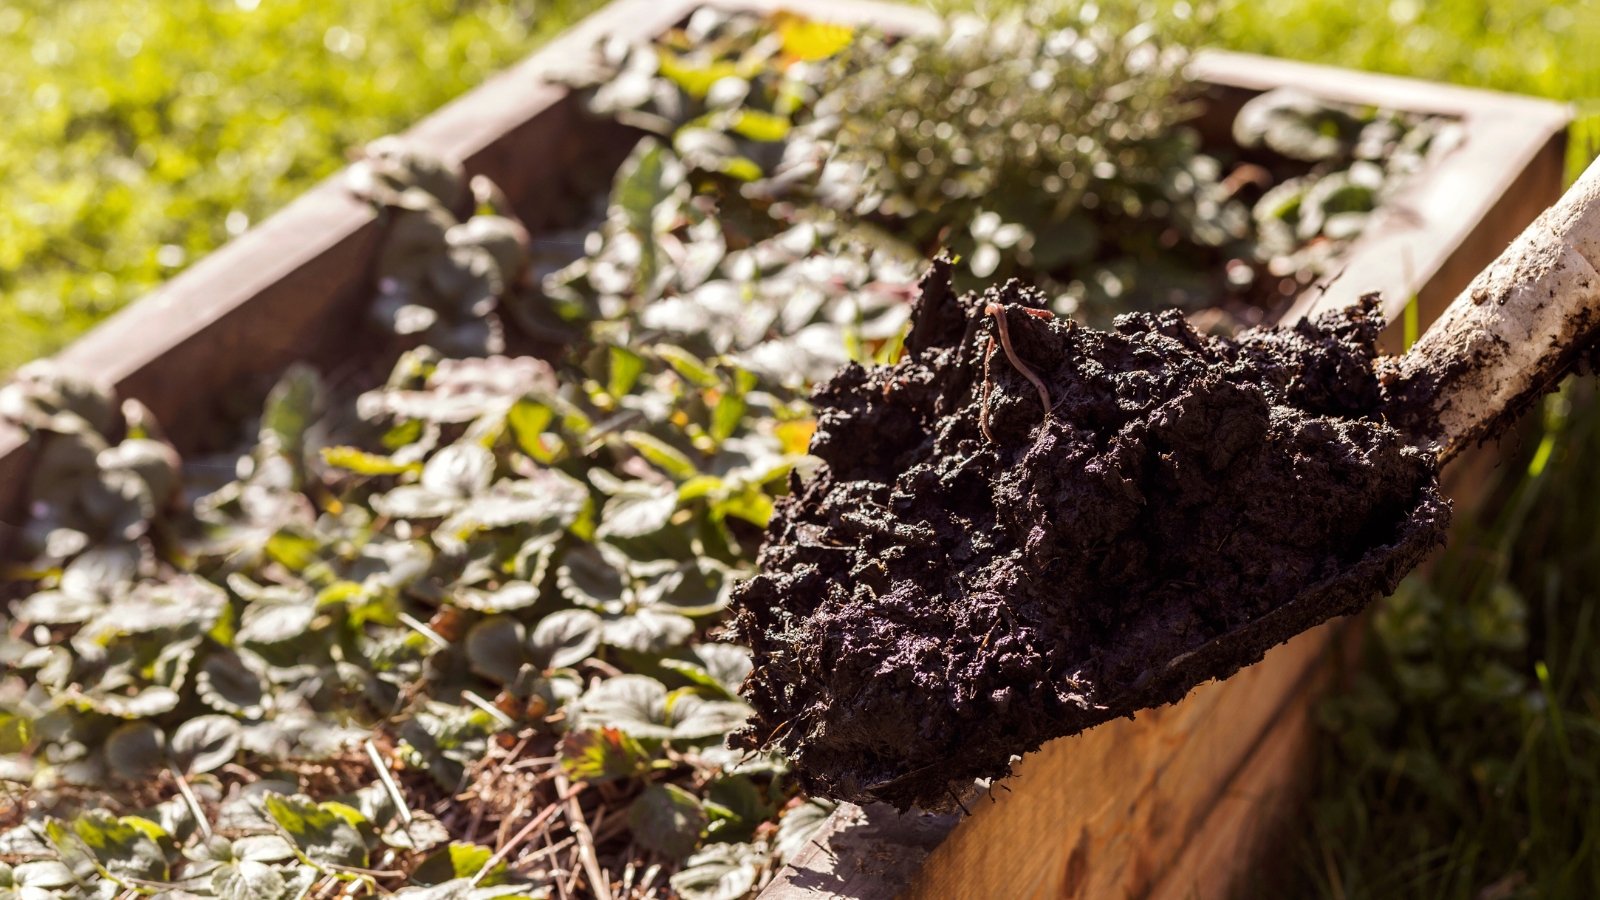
(1465, 761)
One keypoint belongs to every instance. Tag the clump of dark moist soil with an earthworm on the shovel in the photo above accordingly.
(935, 603)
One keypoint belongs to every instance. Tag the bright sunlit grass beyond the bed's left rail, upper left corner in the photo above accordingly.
(142, 134)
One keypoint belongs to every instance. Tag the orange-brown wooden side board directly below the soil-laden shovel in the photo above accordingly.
(1105, 813)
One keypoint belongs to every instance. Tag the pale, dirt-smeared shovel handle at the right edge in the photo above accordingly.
(1510, 339)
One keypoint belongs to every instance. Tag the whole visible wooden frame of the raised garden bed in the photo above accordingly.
(1172, 805)
